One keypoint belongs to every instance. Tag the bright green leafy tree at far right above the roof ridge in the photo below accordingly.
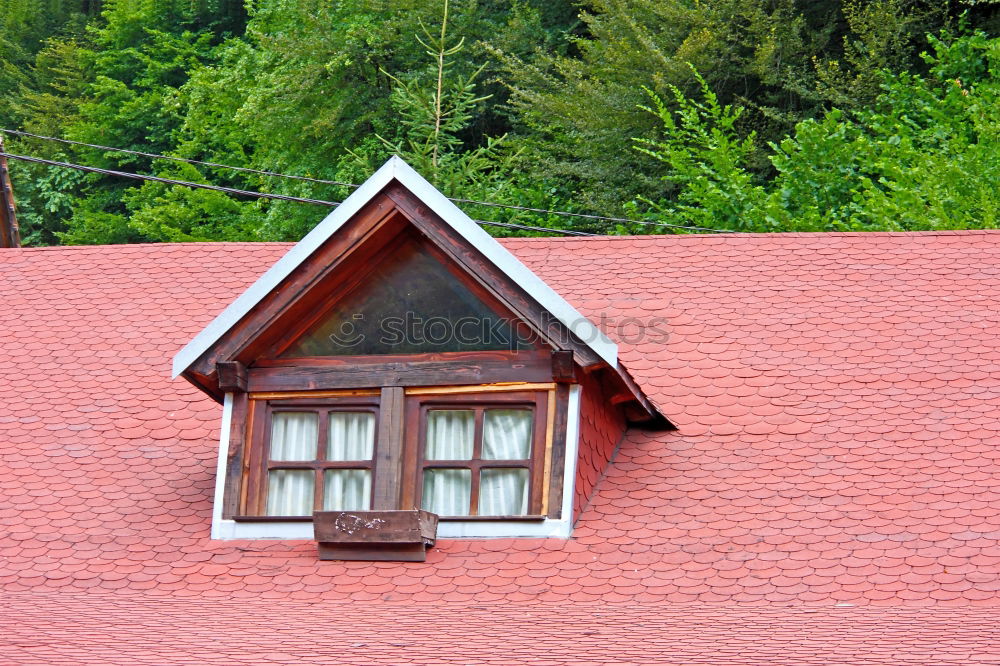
(925, 156)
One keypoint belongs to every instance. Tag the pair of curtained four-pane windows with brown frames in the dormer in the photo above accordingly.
(459, 455)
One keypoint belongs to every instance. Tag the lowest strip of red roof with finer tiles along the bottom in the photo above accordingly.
(78, 628)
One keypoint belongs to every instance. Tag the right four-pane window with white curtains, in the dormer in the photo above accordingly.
(481, 458)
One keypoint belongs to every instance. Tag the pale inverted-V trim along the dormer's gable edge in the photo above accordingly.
(399, 170)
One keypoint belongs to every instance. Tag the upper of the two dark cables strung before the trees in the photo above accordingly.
(491, 204)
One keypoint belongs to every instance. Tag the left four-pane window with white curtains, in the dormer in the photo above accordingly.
(319, 457)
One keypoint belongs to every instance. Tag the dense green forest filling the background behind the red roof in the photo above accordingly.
(751, 115)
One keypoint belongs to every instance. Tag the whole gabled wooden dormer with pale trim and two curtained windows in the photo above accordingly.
(398, 357)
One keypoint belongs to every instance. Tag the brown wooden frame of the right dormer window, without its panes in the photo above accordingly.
(416, 437)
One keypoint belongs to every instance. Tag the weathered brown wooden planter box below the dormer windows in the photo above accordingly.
(401, 536)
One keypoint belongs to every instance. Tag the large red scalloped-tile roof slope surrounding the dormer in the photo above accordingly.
(837, 398)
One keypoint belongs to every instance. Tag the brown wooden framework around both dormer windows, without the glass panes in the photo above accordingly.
(397, 470)
